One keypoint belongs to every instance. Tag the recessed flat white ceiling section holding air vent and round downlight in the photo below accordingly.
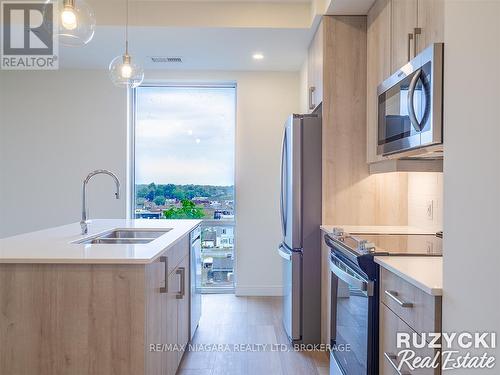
(200, 48)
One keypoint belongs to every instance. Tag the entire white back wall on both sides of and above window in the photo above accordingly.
(55, 127)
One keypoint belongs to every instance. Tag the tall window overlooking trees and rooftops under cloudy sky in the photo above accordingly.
(184, 166)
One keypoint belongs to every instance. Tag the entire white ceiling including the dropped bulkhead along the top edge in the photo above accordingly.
(211, 37)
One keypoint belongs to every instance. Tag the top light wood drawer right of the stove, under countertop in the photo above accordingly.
(421, 311)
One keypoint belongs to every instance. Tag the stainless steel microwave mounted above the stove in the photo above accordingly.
(410, 105)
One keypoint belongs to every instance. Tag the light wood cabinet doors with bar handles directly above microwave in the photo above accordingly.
(415, 25)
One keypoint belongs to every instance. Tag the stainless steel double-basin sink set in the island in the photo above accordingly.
(125, 236)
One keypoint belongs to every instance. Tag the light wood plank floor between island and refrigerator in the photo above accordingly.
(234, 320)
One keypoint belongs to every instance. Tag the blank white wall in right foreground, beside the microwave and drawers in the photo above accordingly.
(472, 169)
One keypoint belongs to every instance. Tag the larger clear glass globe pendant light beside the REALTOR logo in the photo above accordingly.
(76, 23)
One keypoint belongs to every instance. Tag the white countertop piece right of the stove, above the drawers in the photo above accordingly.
(426, 273)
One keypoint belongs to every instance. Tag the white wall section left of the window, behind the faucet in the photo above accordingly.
(55, 127)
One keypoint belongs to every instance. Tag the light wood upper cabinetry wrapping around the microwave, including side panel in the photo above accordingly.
(397, 31)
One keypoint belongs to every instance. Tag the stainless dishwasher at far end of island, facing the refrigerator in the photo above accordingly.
(195, 282)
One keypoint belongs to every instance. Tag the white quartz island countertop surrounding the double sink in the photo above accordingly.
(55, 245)
